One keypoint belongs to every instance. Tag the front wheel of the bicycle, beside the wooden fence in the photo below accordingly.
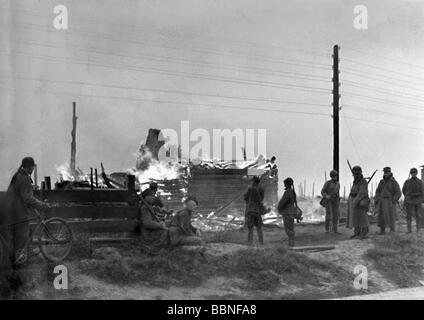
(55, 239)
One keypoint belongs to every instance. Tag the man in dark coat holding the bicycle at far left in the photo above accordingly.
(19, 204)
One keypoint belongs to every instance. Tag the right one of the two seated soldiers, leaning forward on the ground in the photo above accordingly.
(181, 231)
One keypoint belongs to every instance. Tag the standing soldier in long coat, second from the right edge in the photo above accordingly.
(387, 196)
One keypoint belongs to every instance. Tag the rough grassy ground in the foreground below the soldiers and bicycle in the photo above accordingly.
(224, 269)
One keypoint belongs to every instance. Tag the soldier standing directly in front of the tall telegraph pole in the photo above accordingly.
(330, 192)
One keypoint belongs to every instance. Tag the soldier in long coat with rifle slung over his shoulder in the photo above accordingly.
(358, 204)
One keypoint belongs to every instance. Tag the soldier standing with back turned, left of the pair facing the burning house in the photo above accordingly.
(254, 210)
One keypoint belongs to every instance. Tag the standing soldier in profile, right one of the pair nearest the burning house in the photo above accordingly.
(287, 208)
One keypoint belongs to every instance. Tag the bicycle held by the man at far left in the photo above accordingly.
(53, 236)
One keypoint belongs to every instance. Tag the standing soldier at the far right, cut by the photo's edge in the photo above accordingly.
(413, 190)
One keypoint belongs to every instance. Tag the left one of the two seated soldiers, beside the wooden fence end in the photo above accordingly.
(154, 232)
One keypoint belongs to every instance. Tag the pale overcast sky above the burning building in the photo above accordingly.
(202, 51)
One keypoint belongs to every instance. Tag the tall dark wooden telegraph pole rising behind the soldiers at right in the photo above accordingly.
(336, 107)
